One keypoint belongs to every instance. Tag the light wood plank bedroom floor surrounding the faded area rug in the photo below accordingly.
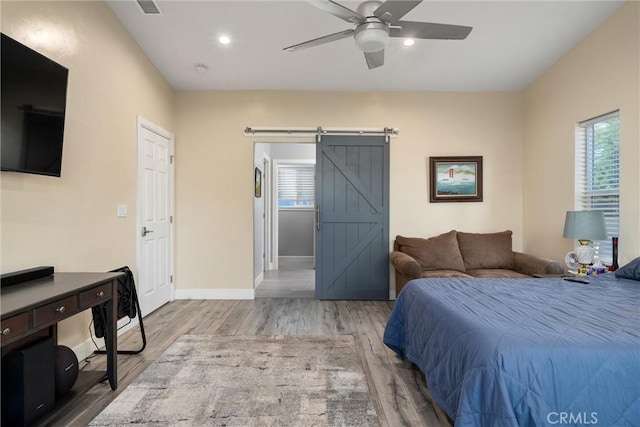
(397, 388)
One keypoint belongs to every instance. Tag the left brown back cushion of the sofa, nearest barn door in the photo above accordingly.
(435, 253)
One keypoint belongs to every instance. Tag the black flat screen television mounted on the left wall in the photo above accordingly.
(34, 95)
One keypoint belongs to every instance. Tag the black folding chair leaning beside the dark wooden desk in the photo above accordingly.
(128, 306)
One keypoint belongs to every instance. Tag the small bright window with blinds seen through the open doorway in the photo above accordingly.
(296, 186)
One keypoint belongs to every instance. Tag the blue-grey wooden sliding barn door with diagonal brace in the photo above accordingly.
(352, 217)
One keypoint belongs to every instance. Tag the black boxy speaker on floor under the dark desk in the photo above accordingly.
(28, 383)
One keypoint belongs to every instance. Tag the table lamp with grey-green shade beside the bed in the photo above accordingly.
(584, 226)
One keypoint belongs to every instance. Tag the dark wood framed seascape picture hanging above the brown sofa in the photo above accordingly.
(455, 179)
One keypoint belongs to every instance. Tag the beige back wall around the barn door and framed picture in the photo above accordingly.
(214, 181)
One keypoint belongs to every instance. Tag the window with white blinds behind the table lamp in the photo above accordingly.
(598, 172)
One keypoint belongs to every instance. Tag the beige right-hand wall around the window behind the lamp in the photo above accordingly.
(598, 76)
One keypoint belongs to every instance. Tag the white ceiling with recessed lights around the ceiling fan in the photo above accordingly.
(511, 44)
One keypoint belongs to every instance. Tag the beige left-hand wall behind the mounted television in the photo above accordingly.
(70, 222)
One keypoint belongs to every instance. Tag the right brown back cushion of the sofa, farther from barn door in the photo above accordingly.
(486, 250)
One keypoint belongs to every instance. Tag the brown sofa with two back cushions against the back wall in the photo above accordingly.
(458, 254)
